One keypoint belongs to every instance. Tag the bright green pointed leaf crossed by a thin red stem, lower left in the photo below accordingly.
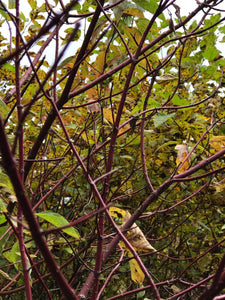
(58, 221)
